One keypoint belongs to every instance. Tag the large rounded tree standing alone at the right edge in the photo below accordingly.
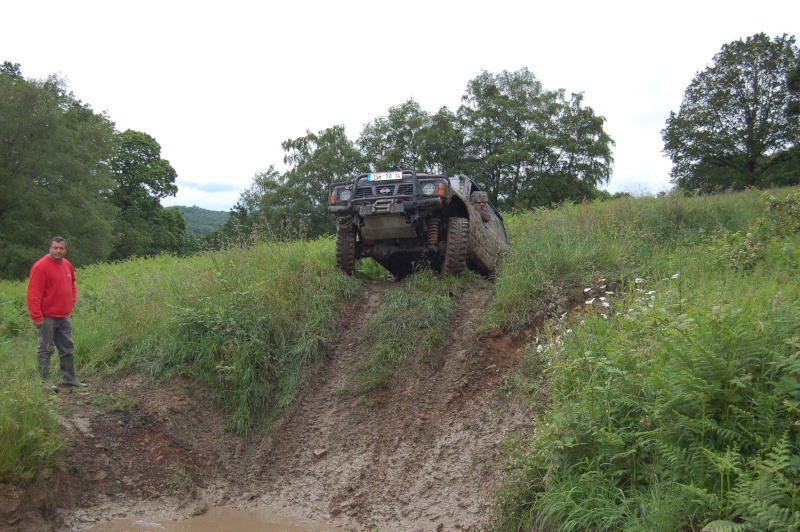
(733, 129)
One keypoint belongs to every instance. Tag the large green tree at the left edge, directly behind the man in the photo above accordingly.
(54, 177)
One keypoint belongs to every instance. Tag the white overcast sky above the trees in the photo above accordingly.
(221, 84)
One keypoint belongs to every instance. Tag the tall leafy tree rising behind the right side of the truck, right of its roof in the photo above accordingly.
(530, 147)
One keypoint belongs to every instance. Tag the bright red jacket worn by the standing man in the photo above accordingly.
(52, 291)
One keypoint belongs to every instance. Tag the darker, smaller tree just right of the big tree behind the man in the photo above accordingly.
(143, 226)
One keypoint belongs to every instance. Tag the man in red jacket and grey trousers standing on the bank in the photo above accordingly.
(52, 293)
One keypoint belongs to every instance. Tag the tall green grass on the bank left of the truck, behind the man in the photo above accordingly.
(247, 322)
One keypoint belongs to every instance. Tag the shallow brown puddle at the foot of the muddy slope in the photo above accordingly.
(216, 520)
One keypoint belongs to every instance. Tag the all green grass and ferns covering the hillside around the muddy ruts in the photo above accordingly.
(672, 390)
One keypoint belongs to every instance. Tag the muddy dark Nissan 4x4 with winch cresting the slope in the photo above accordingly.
(407, 221)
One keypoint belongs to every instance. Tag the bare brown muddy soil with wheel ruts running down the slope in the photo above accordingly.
(424, 454)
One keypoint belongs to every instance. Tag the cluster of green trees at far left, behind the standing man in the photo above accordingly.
(65, 170)
